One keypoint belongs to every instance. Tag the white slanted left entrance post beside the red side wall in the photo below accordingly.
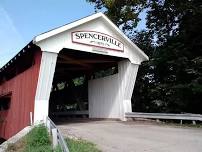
(46, 73)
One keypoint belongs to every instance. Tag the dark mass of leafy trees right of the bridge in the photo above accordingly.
(172, 80)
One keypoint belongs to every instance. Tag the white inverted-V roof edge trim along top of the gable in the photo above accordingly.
(69, 26)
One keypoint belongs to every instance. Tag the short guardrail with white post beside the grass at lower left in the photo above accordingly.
(57, 136)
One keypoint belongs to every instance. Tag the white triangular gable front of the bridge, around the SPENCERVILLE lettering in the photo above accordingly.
(63, 37)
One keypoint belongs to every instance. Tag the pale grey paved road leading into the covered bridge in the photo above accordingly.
(112, 136)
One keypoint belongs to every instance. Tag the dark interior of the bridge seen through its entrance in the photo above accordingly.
(69, 95)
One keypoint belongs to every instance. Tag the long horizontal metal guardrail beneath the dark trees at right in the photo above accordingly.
(186, 116)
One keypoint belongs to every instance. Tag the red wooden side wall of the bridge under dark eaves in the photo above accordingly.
(18, 84)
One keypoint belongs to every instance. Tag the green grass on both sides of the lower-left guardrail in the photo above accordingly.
(38, 140)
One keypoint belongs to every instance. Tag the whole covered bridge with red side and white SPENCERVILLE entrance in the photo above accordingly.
(88, 66)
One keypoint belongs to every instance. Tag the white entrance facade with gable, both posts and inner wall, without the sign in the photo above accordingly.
(109, 97)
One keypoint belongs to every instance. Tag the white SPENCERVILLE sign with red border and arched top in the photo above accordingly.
(93, 38)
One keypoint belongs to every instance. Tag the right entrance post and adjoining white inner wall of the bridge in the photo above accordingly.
(110, 97)
